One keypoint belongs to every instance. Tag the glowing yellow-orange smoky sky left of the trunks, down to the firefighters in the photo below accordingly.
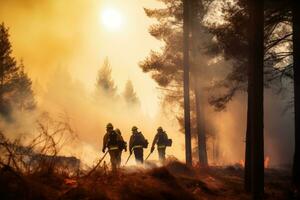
(63, 44)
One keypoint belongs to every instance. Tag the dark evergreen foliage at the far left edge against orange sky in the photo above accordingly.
(15, 86)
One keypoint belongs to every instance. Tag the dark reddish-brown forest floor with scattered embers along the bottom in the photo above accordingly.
(172, 181)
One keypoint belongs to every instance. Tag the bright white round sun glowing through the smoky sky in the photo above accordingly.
(111, 19)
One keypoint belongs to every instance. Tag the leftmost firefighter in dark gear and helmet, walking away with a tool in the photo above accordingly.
(112, 141)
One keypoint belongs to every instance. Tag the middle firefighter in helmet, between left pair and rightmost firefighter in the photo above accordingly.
(137, 143)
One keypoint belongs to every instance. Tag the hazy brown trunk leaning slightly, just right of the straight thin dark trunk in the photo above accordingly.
(198, 36)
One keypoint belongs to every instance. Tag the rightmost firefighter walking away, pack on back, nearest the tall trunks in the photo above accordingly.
(162, 141)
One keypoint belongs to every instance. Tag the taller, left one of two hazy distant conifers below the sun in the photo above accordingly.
(105, 84)
